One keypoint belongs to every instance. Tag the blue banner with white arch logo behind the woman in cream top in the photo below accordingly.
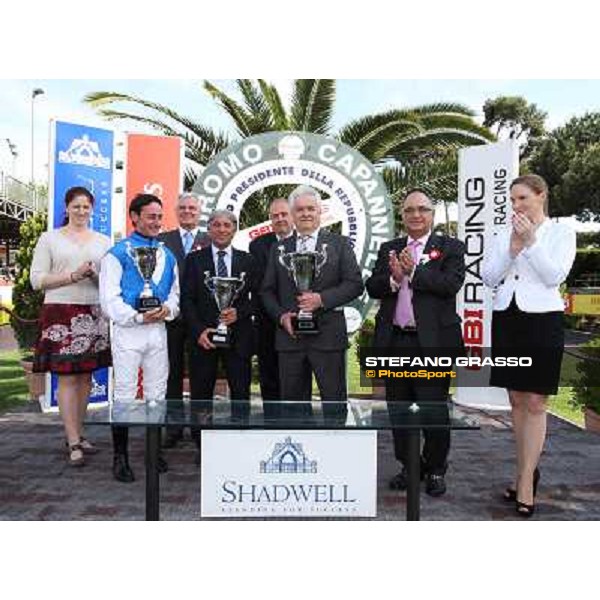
(81, 156)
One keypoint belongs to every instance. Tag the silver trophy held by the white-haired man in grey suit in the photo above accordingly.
(304, 268)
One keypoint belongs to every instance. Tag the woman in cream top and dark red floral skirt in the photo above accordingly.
(73, 340)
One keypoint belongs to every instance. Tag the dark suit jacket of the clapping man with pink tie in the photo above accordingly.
(434, 287)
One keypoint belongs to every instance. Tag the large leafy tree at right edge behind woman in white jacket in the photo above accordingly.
(569, 160)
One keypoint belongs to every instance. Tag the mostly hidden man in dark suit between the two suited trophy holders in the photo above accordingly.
(260, 248)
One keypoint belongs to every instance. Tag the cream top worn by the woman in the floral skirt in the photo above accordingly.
(56, 253)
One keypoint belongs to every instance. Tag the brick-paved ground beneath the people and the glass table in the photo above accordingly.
(36, 483)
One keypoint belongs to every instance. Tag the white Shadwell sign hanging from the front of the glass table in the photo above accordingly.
(289, 474)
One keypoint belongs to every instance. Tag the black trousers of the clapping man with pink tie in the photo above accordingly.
(434, 458)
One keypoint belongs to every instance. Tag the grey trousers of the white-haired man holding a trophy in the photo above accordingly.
(329, 368)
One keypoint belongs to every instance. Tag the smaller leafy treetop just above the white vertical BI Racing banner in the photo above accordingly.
(514, 117)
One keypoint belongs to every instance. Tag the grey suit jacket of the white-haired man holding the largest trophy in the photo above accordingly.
(339, 282)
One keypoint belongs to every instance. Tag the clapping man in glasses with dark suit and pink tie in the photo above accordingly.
(417, 278)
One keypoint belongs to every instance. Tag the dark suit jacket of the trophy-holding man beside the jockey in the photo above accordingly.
(199, 307)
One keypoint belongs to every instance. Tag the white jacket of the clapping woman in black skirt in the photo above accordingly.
(535, 274)
